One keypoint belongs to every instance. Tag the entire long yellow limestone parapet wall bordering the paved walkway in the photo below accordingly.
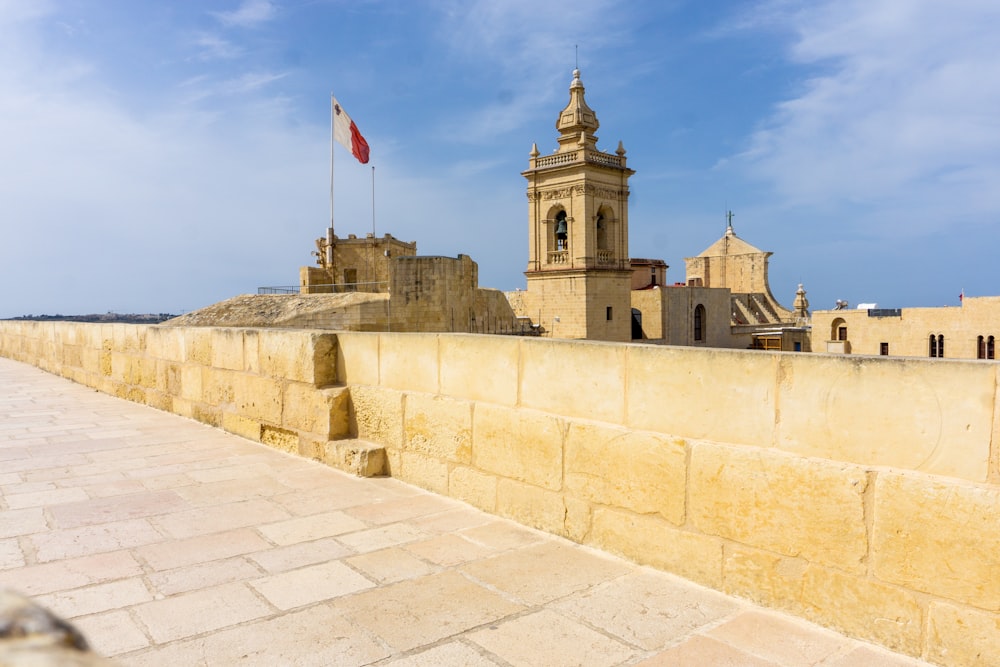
(861, 493)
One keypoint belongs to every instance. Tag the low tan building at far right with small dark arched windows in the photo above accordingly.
(969, 331)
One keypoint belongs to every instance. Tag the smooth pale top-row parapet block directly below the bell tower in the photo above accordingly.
(579, 379)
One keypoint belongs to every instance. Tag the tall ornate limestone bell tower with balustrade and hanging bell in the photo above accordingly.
(578, 275)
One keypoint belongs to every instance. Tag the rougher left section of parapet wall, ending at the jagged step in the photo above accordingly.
(275, 386)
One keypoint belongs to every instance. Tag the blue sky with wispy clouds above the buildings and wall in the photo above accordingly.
(159, 157)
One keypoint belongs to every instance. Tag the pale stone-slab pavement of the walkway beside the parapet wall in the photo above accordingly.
(168, 542)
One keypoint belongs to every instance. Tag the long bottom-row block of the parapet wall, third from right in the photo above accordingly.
(652, 541)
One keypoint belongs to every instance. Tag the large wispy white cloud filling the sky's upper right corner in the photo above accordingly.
(901, 115)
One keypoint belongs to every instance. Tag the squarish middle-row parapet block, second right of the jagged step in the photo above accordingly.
(438, 427)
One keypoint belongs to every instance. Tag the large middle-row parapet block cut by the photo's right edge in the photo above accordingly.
(922, 537)
